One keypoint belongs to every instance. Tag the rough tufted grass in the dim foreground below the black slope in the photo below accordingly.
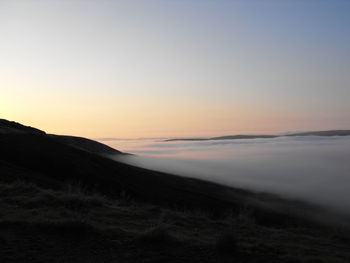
(41, 225)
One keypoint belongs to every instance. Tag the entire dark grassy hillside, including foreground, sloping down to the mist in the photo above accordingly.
(171, 219)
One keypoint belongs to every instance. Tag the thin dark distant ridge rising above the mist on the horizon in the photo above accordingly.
(267, 136)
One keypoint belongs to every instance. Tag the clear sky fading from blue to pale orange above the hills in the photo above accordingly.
(175, 68)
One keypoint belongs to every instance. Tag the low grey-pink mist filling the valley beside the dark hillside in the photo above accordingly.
(315, 169)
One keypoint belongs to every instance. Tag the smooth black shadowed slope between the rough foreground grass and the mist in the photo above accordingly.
(52, 161)
